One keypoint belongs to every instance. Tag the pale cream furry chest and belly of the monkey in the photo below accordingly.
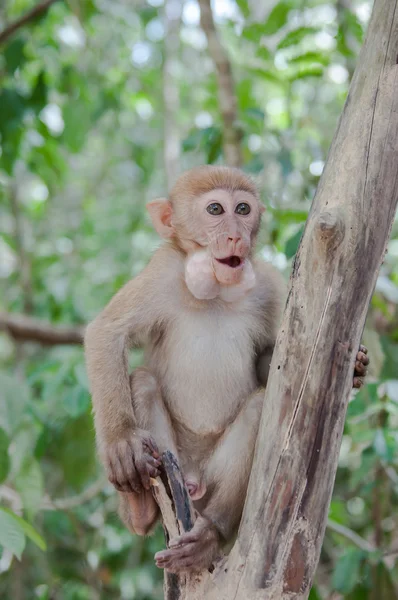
(208, 372)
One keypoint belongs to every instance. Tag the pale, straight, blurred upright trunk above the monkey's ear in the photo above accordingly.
(171, 96)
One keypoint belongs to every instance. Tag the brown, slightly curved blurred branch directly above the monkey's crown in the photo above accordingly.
(226, 88)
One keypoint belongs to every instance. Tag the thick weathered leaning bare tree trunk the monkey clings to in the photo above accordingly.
(334, 274)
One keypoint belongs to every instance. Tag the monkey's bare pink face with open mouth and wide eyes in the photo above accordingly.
(226, 225)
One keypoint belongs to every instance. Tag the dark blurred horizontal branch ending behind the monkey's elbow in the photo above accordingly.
(29, 329)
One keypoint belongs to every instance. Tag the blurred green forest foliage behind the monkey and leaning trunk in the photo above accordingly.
(102, 104)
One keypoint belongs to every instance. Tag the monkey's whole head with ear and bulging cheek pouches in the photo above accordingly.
(213, 214)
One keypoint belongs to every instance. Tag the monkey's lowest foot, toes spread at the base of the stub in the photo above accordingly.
(192, 551)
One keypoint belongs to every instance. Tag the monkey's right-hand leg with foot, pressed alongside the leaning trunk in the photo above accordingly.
(226, 476)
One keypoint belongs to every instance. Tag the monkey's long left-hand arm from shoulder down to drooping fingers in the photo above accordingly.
(126, 321)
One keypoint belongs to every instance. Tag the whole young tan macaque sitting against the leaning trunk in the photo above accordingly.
(207, 313)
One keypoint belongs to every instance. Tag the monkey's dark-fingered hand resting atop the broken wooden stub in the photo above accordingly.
(131, 461)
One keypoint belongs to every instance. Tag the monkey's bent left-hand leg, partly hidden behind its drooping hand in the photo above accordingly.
(139, 511)
